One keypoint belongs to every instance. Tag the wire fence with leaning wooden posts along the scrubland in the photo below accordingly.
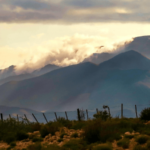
(128, 111)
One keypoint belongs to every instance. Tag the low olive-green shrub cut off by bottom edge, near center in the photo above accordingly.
(74, 145)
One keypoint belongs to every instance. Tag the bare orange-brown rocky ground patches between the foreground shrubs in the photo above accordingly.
(62, 137)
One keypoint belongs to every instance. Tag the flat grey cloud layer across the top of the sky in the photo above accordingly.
(74, 11)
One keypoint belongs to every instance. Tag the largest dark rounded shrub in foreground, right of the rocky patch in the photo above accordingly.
(102, 131)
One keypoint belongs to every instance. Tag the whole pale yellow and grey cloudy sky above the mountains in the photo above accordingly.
(34, 33)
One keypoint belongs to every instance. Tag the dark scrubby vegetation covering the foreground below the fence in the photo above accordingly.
(96, 134)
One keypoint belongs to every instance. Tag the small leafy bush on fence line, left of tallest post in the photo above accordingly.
(101, 114)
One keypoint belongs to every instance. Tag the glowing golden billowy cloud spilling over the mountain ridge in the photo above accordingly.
(68, 50)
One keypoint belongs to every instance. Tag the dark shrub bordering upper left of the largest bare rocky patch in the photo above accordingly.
(49, 128)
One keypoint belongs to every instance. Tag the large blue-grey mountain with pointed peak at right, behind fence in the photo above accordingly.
(124, 78)
